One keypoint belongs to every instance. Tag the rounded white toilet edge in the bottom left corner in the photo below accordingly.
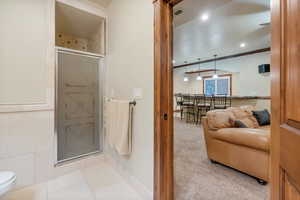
(7, 181)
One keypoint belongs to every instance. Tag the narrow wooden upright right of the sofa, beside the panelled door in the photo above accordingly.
(277, 94)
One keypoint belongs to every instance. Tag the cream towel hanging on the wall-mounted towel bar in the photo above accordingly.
(119, 131)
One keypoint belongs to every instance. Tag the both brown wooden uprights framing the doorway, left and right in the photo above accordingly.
(163, 96)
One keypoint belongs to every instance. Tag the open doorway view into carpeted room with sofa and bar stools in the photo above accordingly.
(221, 69)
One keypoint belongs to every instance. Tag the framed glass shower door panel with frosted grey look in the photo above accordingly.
(77, 105)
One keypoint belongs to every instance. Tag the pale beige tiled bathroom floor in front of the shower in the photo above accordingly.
(99, 182)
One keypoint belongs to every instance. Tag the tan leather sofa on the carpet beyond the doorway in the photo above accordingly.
(244, 149)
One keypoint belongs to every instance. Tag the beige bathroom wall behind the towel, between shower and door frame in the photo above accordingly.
(130, 65)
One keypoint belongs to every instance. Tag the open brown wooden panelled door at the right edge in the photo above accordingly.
(286, 100)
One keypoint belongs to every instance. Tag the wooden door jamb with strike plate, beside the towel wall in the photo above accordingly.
(163, 99)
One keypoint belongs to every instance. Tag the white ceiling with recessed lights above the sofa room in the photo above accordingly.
(230, 23)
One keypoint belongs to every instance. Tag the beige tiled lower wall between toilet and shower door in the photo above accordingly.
(26, 141)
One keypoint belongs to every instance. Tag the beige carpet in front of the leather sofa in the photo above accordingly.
(196, 178)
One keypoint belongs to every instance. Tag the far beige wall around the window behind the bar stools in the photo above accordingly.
(246, 80)
